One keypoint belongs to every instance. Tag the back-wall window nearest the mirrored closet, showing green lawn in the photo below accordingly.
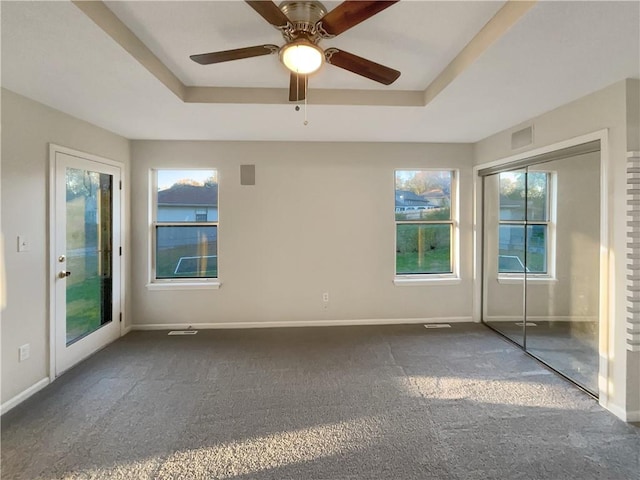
(424, 222)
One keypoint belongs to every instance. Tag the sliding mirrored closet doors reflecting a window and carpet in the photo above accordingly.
(541, 261)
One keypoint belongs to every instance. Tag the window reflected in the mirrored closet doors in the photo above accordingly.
(525, 223)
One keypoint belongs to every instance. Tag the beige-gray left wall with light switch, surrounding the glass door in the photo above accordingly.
(27, 129)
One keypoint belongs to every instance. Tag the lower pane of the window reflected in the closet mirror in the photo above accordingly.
(511, 257)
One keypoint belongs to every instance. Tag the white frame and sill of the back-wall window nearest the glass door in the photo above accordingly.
(176, 283)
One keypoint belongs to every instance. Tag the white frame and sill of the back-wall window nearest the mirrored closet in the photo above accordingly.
(420, 279)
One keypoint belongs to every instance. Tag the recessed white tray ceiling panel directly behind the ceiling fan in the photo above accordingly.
(418, 42)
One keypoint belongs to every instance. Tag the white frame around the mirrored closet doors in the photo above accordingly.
(606, 327)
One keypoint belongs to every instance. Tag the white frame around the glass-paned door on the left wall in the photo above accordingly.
(52, 263)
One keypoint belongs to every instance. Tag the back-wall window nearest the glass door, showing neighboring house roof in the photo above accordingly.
(185, 224)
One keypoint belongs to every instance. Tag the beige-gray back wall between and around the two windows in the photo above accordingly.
(319, 219)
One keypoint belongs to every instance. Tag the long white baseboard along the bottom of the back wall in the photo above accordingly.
(310, 323)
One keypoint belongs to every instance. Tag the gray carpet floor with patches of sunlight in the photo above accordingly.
(392, 402)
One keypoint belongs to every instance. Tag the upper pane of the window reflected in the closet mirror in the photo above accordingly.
(512, 196)
